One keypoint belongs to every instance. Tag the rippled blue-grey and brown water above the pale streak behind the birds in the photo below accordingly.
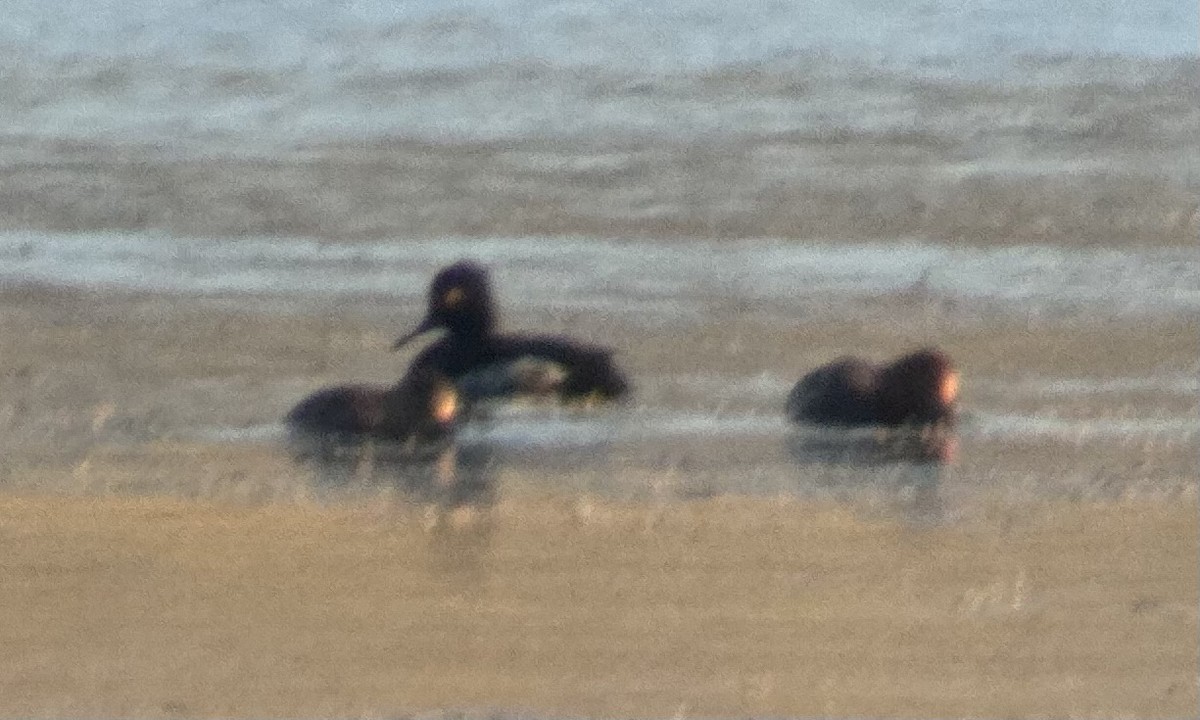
(1028, 122)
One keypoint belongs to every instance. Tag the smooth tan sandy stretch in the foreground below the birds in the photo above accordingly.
(579, 608)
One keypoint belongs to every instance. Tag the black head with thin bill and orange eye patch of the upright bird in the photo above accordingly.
(460, 302)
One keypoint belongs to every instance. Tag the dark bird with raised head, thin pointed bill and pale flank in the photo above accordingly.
(487, 364)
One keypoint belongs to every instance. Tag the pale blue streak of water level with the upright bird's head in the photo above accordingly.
(645, 281)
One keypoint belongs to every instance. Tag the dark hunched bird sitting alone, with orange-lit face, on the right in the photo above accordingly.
(919, 389)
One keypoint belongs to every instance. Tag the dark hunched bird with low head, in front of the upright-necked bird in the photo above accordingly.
(416, 418)
